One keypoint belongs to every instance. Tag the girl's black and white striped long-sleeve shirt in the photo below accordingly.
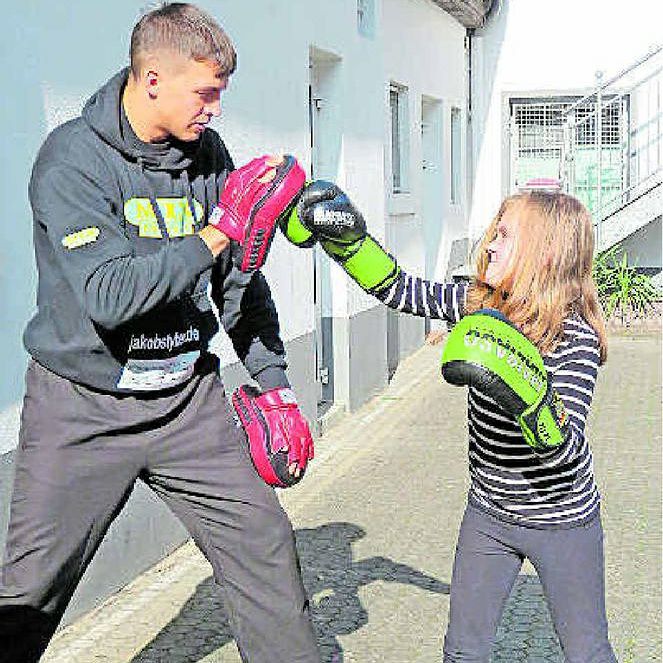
(509, 479)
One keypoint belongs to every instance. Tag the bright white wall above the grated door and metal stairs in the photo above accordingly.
(529, 47)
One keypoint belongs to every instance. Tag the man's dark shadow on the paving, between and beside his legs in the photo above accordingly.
(332, 579)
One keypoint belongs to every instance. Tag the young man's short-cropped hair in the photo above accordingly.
(184, 29)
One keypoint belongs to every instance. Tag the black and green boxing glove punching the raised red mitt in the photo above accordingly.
(325, 213)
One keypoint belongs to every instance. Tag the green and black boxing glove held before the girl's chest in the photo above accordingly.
(486, 351)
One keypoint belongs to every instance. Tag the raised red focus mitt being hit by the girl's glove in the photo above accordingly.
(253, 199)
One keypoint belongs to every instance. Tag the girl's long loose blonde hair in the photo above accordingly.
(550, 273)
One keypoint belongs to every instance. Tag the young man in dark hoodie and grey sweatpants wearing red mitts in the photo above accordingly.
(120, 385)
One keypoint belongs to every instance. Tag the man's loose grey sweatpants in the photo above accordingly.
(80, 452)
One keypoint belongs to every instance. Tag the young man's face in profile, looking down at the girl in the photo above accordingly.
(186, 95)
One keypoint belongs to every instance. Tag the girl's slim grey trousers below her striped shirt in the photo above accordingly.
(569, 562)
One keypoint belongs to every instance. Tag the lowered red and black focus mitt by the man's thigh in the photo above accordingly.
(279, 438)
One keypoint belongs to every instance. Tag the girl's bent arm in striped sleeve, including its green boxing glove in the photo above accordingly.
(548, 397)
